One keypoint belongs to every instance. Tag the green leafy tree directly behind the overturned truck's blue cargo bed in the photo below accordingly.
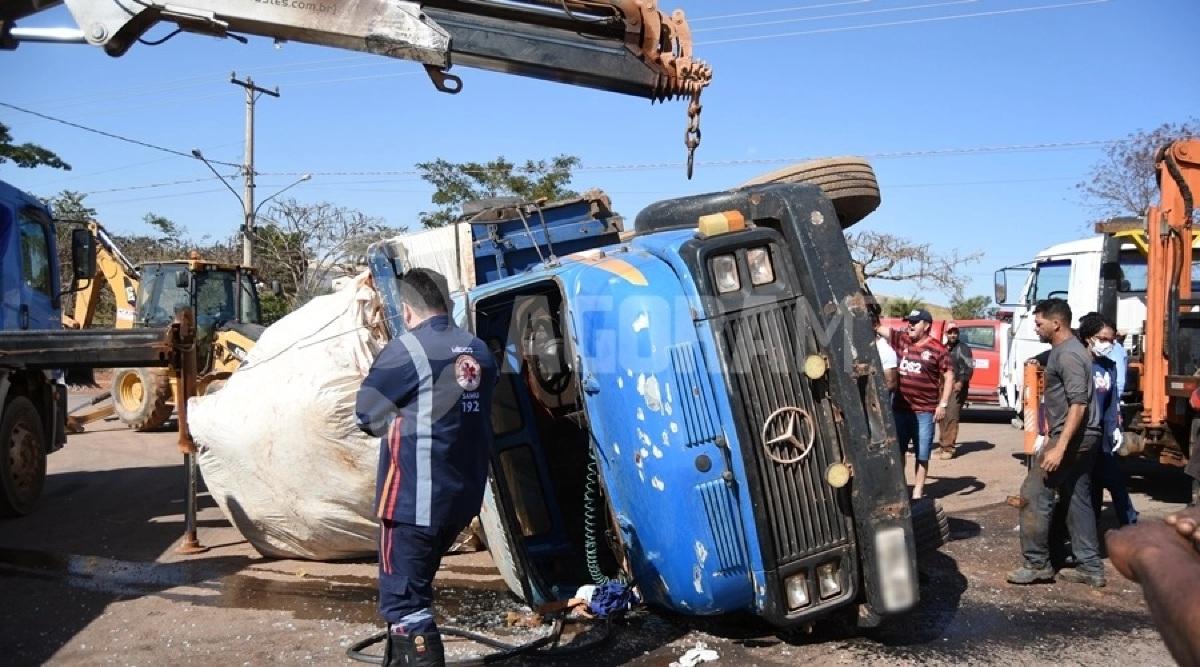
(459, 183)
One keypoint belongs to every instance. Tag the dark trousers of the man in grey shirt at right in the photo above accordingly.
(1072, 483)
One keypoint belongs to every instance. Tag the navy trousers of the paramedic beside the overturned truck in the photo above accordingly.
(410, 557)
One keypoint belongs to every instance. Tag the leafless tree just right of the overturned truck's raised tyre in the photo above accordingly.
(887, 257)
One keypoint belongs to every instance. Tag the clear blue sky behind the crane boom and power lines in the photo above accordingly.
(909, 83)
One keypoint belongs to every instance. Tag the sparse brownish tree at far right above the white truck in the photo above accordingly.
(1124, 182)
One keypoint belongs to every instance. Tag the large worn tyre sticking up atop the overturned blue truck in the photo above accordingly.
(849, 183)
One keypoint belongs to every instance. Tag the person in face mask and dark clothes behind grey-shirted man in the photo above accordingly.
(1099, 335)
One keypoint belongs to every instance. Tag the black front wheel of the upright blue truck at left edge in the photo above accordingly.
(22, 458)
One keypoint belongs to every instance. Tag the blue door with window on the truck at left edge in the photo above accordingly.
(38, 308)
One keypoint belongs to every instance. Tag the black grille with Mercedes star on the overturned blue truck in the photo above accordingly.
(802, 510)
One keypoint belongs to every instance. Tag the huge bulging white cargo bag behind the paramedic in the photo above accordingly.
(279, 446)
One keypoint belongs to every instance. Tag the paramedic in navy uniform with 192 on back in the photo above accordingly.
(429, 399)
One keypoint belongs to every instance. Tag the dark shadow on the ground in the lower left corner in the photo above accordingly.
(85, 548)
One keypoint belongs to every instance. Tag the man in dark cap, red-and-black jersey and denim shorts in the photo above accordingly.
(927, 380)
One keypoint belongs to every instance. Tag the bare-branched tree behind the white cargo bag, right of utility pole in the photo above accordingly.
(305, 245)
